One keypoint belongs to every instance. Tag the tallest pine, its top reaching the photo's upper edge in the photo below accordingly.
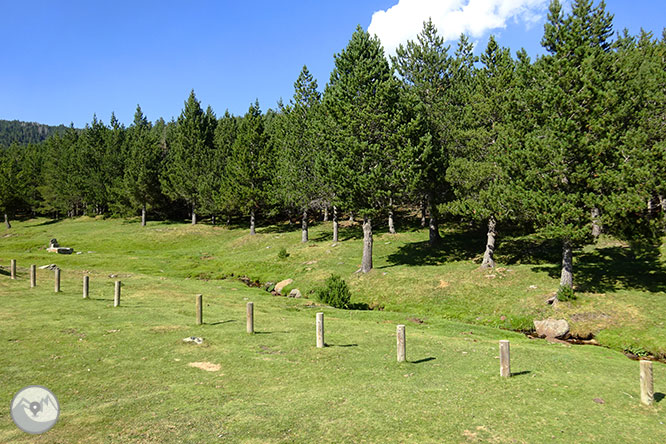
(568, 161)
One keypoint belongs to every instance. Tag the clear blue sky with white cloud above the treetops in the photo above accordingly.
(64, 61)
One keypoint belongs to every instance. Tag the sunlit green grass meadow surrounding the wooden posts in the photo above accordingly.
(122, 375)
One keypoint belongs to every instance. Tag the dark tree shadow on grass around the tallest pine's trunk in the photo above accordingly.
(614, 268)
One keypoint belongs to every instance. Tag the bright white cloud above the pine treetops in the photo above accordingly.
(404, 21)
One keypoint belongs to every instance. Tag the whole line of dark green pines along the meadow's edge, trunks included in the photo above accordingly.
(567, 146)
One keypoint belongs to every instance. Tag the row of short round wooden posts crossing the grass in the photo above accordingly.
(646, 374)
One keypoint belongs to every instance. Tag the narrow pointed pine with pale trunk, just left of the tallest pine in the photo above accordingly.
(479, 172)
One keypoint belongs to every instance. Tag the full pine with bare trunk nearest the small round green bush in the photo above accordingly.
(360, 100)
